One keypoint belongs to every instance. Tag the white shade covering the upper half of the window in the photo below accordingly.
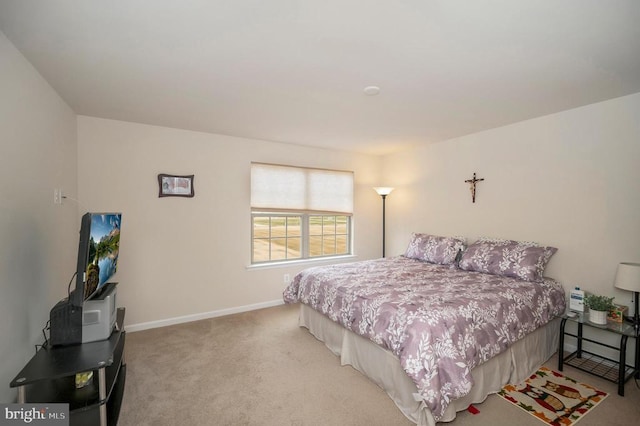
(304, 189)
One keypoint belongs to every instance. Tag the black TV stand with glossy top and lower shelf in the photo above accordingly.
(49, 377)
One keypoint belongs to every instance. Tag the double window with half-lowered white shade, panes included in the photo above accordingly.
(299, 213)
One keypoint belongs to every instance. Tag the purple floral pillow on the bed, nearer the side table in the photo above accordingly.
(516, 259)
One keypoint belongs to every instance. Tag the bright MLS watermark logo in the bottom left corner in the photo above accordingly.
(34, 414)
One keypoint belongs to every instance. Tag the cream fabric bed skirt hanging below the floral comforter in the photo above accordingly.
(383, 368)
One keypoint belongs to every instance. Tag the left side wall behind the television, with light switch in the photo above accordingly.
(38, 240)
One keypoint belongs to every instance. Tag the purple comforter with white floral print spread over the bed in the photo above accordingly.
(440, 321)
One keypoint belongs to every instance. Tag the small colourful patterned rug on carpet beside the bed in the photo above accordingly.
(553, 398)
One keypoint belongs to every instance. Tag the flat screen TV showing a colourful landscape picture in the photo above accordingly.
(98, 251)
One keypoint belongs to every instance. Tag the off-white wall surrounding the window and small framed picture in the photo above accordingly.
(189, 256)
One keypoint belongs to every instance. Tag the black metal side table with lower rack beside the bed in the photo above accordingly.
(616, 371)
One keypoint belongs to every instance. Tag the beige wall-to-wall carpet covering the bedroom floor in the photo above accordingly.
(260, 368)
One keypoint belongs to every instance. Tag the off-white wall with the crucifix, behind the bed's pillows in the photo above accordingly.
(569, 180)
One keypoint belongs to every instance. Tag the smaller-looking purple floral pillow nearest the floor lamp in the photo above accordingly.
(434, 249)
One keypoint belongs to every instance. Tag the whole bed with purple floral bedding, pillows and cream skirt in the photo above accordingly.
(437, 329)
